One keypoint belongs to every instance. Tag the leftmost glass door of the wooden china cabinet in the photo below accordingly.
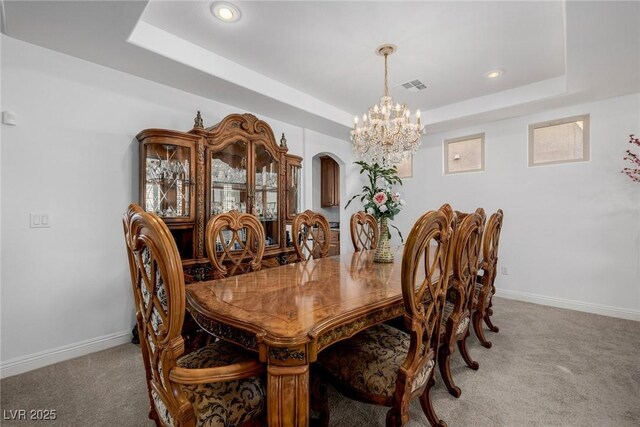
(167, 180)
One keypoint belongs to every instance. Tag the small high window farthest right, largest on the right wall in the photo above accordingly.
(559, 141)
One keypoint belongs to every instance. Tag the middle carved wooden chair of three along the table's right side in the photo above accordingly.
(459, 306)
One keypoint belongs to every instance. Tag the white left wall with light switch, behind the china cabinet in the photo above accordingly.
(66, 289)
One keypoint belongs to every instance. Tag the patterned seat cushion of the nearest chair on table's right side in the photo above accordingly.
(369, 361)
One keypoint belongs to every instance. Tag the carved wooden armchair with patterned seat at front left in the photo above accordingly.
(216, 385)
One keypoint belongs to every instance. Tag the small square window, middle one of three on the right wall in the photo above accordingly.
(465, 154)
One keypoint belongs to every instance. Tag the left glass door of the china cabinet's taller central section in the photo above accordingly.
(229, 179)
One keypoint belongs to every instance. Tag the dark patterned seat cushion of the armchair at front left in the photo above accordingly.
(223, 403)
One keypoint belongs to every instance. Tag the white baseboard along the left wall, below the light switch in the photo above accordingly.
(38, 360)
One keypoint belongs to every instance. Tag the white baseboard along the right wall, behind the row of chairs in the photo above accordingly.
(604, 310)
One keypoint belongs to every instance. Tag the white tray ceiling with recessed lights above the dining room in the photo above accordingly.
(310, 69)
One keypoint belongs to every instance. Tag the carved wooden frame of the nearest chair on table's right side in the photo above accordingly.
(427, 247)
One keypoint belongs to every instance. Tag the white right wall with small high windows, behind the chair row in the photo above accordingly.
(571, 234)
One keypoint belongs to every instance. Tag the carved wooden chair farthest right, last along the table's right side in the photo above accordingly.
(486, 289)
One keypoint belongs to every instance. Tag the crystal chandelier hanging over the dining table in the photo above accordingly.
(386, 135)
